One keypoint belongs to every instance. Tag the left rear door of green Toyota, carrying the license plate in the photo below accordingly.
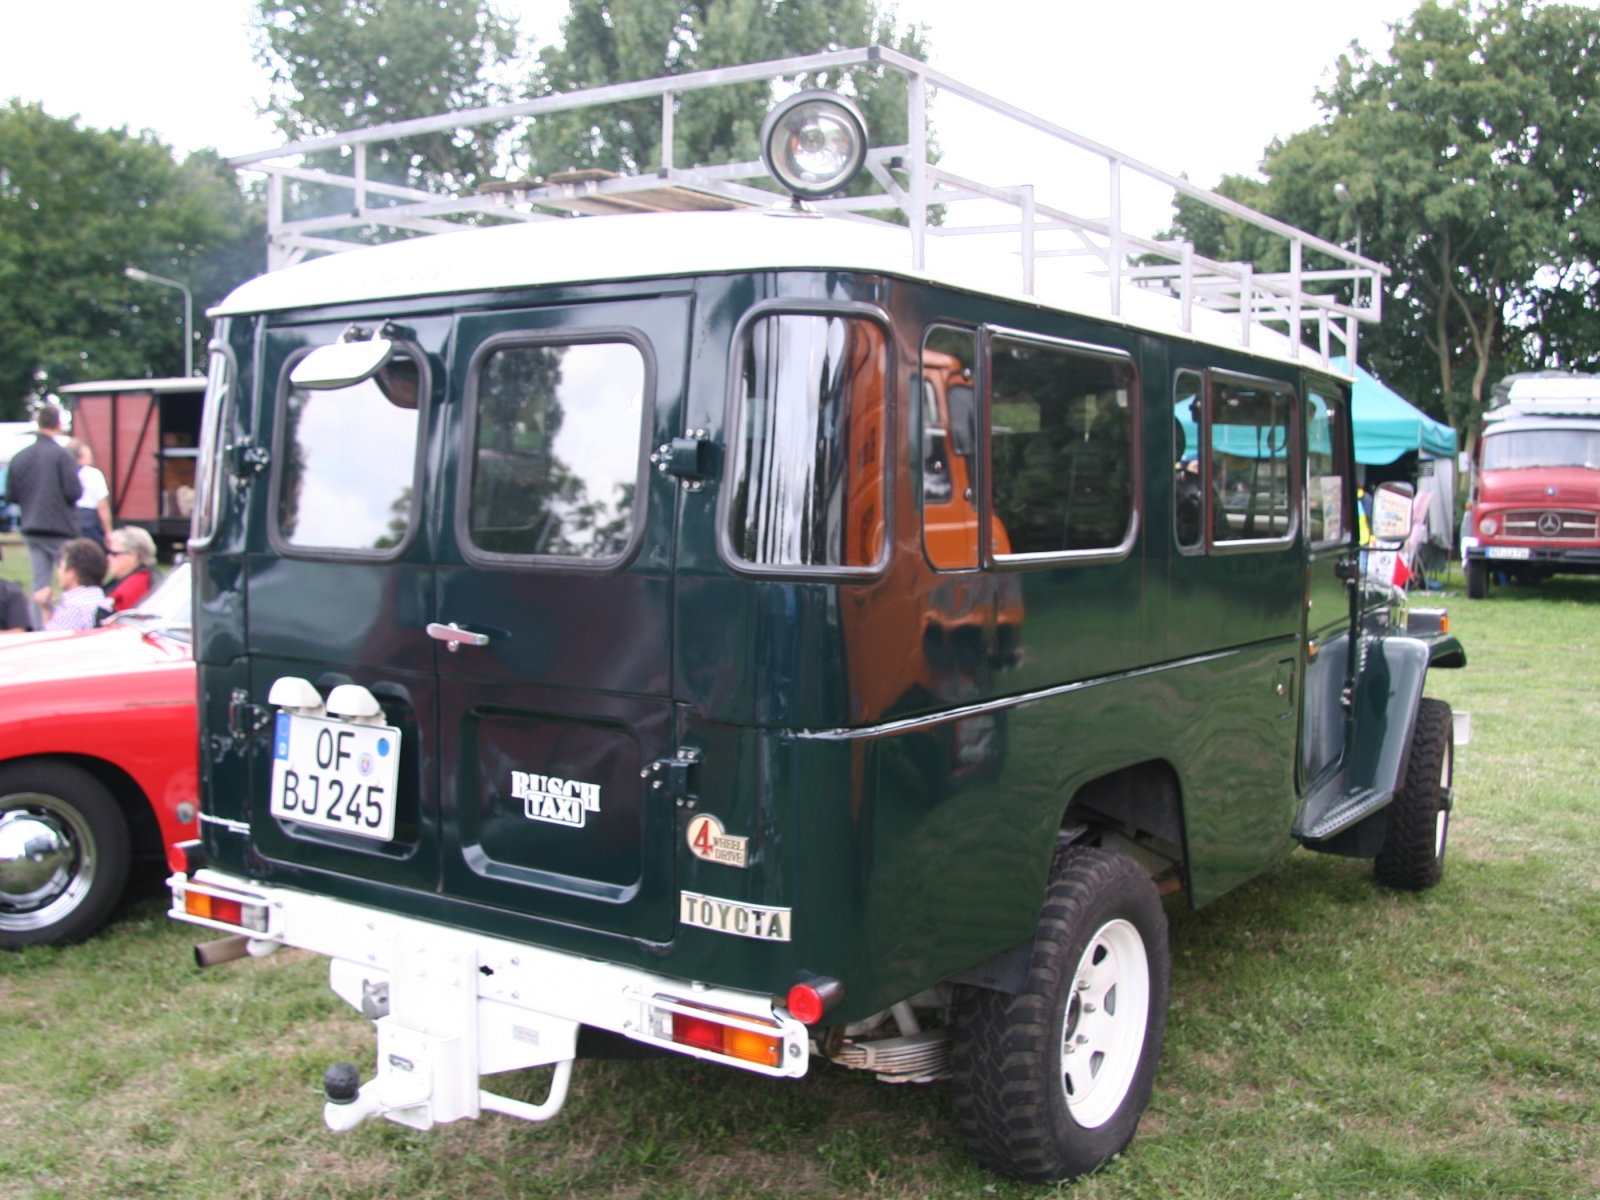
(342, 585)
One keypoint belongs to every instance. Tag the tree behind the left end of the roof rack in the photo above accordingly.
(348, 65)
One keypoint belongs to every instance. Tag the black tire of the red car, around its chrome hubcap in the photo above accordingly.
(94, 825)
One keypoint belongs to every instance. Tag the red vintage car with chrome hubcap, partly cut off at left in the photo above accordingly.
(98, 764)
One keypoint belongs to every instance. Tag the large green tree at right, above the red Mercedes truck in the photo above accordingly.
(1465, 161)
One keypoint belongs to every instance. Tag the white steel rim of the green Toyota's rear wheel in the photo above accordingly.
(1103, 1030)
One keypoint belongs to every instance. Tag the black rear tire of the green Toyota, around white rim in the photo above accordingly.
(1007, 1050)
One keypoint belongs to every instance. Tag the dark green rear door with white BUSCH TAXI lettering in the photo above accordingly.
(556, 575)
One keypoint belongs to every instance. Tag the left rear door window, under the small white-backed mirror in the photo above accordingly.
(348, 466)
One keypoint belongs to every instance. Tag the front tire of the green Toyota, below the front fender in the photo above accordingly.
(1414, 855)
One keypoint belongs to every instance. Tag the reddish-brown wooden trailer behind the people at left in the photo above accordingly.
(145, 436)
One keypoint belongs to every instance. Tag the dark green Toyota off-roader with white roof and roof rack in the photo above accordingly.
(769, 638)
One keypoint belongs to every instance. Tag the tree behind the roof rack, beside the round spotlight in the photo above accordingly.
(620, 41)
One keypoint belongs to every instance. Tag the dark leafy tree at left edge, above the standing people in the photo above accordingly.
(76, 209)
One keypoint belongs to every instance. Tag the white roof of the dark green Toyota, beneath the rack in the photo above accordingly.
(663, 246)
